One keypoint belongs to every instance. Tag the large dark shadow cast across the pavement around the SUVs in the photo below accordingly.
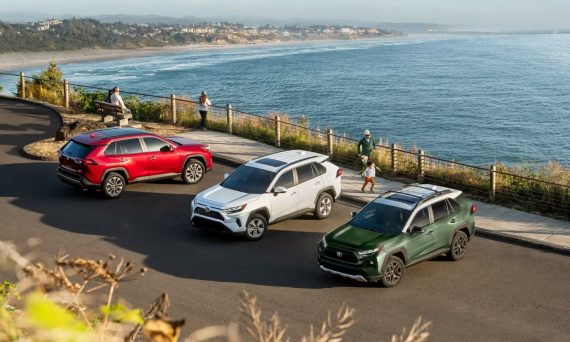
(156, 225)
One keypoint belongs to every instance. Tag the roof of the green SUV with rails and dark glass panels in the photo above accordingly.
(410, 196)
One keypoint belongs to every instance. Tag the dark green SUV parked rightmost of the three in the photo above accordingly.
(398, 229)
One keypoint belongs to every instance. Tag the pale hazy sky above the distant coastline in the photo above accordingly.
(482, 14)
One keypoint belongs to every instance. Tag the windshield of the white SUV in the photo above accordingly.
(249, 179)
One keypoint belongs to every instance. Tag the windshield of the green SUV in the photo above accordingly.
(381, 218)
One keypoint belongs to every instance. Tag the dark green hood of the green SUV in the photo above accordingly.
(357, 238)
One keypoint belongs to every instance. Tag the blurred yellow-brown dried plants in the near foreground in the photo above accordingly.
(54, 301)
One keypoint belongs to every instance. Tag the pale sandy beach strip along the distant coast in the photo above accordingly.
(17, 61)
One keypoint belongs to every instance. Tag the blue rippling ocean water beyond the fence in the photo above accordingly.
(476, 99)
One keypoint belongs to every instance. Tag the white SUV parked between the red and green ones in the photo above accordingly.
(268, 189)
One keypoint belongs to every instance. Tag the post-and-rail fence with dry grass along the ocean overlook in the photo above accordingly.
(491, 184)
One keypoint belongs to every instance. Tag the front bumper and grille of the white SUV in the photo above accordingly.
(217, 220)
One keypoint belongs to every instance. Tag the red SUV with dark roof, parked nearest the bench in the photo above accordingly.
(110, 158)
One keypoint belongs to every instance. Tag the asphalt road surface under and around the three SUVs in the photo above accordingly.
(499, 292)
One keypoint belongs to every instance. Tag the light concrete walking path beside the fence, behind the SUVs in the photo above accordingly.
(492, 220)
